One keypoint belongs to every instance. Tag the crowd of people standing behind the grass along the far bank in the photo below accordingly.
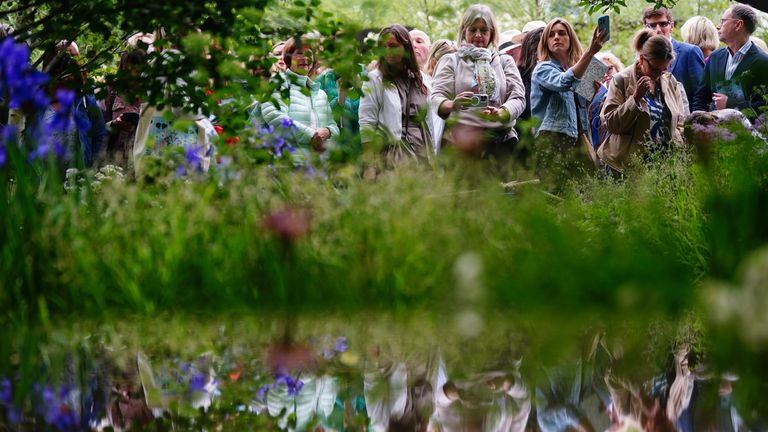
(419, 97)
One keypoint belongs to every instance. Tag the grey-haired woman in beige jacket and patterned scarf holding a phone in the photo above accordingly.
(478, 91)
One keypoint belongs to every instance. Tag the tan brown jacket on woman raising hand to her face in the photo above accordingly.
(627, 123)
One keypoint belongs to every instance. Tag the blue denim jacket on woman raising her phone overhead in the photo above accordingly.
(552, 99)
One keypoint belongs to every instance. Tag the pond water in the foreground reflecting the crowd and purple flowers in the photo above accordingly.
(455, 372)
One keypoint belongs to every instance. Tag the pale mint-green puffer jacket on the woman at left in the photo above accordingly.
(309, 112)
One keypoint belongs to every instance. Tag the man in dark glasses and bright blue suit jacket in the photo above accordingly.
(688, 65)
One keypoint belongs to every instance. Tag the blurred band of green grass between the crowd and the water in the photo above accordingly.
(627, 251)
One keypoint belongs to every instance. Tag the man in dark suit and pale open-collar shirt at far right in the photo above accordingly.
(733, 73)
